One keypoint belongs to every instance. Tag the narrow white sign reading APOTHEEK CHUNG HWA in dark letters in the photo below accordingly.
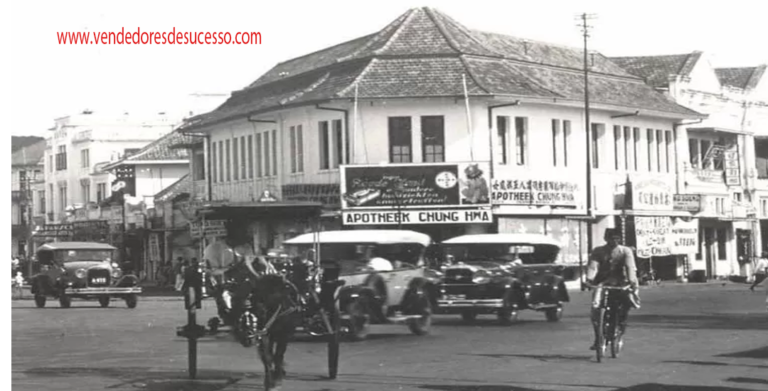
(411, 217)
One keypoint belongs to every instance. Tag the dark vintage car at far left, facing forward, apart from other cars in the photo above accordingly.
(81, 270)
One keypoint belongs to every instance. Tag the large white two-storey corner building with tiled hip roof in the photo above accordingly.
(391, 105)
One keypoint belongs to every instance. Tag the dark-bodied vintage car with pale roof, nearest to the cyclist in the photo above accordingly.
(502, 274)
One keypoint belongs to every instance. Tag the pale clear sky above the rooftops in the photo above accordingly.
(50, 80)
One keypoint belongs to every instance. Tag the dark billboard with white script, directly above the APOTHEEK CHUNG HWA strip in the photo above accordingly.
(415, 186)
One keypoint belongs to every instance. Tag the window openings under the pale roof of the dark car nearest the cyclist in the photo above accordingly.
(527, 254)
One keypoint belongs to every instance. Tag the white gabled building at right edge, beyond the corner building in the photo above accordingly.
(722, 178)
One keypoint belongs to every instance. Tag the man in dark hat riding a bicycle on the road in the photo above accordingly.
(612, 265)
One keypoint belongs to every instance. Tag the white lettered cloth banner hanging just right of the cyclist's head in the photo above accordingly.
(665, 236)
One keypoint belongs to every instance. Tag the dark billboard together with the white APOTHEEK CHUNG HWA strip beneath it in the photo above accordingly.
(442, 200)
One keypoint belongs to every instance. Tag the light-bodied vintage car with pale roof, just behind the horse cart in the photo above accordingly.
(368, 296)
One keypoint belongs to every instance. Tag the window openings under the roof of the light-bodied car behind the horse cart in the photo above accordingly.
(350, 256)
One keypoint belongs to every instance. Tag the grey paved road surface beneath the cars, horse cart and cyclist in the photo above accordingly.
(710, 338)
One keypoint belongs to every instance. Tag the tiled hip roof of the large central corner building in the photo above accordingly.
(425, 53)
